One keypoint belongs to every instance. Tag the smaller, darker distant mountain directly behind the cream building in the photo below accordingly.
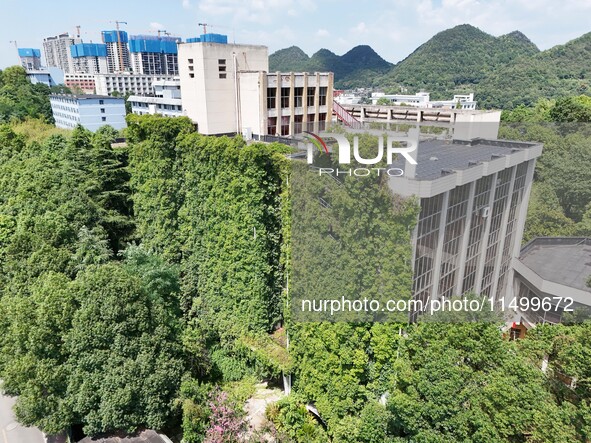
(357, 68)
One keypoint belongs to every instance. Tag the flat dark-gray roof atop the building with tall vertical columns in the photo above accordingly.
(437, 157)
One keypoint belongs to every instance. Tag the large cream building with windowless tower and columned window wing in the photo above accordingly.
(227, 90)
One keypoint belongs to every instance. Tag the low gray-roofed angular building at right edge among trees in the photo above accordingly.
(549, 269)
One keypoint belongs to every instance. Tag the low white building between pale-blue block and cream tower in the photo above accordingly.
(166, 100)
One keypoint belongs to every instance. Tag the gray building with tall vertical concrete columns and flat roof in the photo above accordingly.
(473, 198)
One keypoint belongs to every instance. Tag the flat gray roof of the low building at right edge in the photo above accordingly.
(563, 260)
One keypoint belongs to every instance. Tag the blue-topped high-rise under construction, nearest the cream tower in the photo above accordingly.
(154, 55)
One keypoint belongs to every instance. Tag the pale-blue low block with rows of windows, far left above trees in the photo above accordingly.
(90, 111)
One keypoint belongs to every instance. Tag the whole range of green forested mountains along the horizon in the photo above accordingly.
(503, 71)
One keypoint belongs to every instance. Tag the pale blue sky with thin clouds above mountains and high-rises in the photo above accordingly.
(394, 28)
